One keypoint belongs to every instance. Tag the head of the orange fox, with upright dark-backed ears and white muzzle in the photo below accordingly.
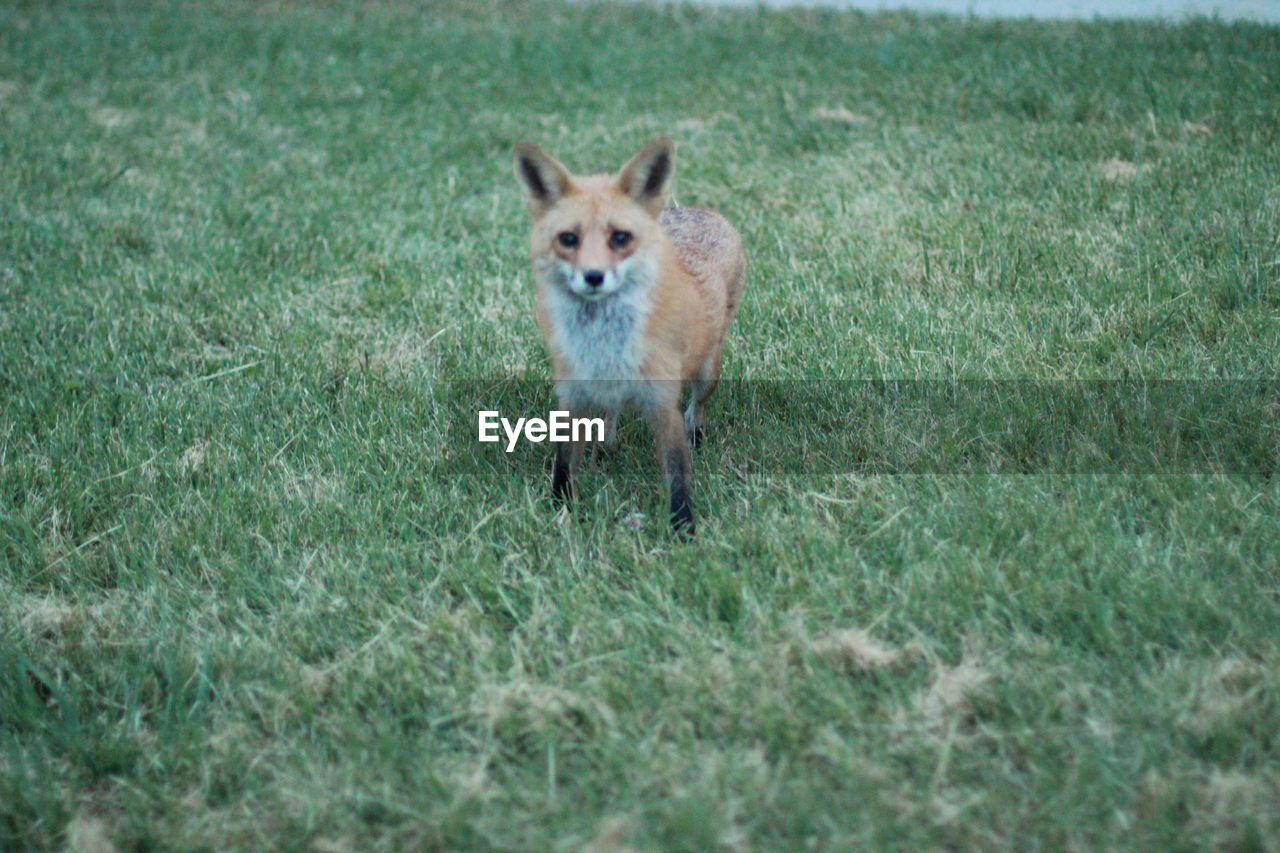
(598, 235)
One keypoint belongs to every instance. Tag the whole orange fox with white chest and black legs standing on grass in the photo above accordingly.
(634, 299)
